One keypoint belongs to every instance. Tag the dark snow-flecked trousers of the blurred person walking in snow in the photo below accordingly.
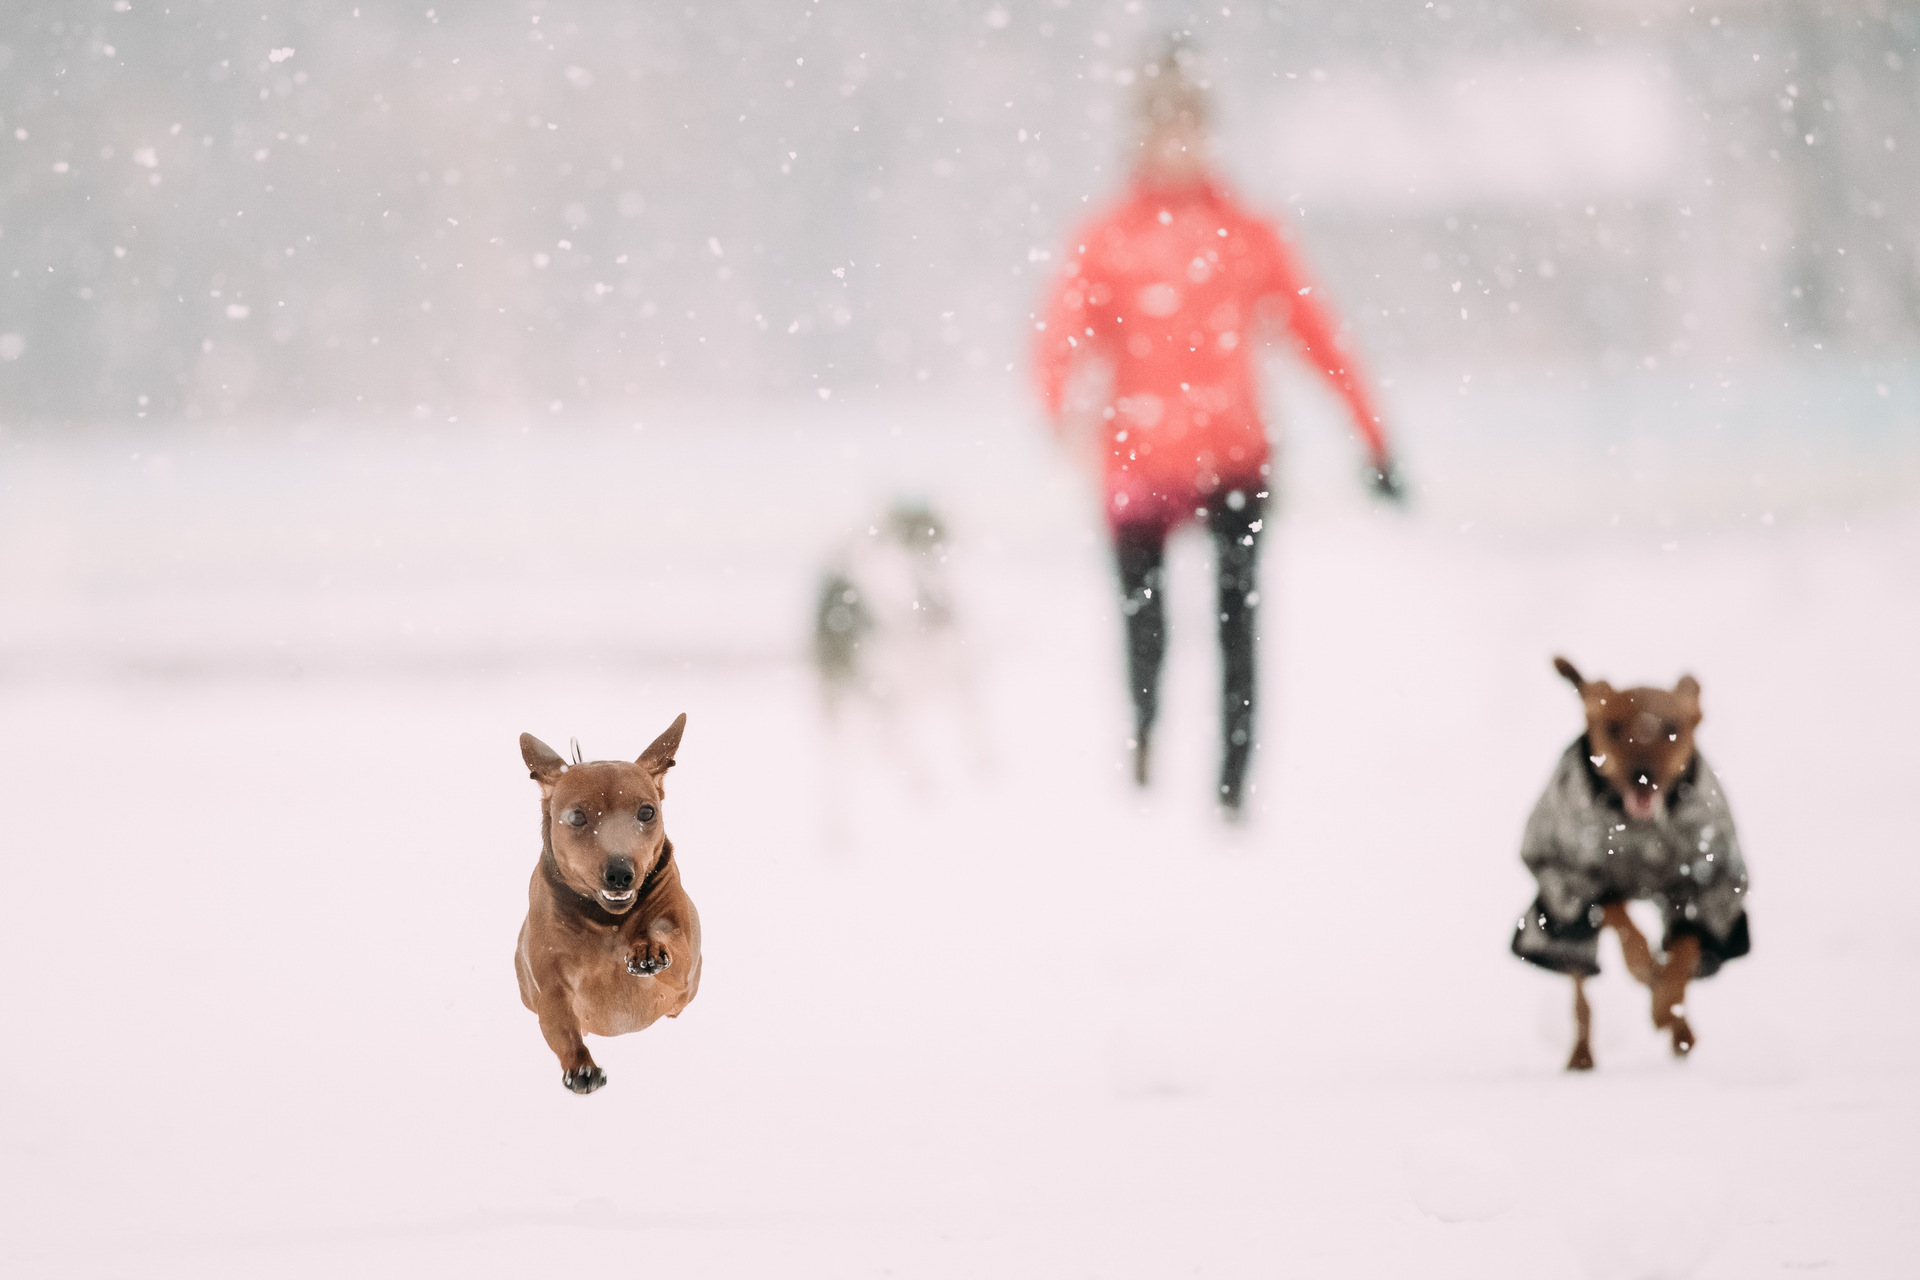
(1141, 554)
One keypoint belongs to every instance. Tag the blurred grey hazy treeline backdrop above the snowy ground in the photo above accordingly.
(310, 208)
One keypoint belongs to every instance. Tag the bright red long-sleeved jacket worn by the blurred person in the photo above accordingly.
(1176, 291)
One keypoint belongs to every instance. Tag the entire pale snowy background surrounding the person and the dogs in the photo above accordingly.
(268, 638)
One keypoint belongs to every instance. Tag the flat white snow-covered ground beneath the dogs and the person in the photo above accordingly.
(266, 843)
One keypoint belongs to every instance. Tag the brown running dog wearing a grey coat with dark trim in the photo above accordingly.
(1635, 813)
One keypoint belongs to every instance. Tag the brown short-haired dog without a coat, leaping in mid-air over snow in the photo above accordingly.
(612, 941)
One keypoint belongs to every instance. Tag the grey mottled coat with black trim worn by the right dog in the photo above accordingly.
(1585, 855)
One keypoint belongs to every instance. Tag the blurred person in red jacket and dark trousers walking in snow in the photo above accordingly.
(1170, 295)
